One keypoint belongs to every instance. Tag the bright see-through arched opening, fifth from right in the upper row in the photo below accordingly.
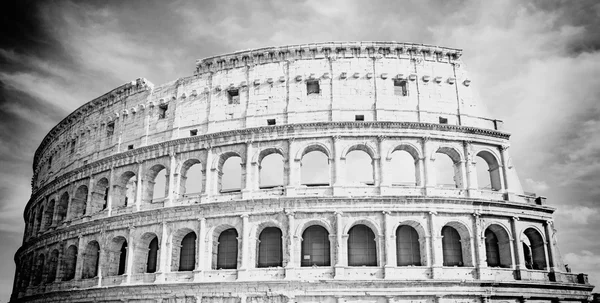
(315, 168)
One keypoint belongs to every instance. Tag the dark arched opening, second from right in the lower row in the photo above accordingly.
(497, 247)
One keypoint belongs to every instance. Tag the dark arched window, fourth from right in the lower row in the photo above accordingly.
(408, 250)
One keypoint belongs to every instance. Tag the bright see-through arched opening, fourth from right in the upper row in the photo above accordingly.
(359, 168)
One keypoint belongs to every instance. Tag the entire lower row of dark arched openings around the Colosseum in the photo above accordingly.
(315, 250)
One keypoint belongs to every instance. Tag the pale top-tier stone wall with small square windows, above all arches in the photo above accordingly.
(272, 86)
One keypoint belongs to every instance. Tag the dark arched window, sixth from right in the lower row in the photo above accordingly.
(315, 247)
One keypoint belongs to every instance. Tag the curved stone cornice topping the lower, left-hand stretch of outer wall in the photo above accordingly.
(125, 90)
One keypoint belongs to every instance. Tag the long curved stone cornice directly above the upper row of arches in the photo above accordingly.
(207, 140)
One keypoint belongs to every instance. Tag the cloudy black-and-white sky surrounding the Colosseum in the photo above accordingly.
(536, 65)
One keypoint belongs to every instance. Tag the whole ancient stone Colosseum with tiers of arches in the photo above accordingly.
(302, 173)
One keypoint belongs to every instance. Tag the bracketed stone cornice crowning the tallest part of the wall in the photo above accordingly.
(321, 50)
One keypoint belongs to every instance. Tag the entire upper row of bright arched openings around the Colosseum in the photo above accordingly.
(403, 167)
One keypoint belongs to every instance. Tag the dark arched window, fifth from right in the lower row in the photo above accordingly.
(362, 248)
